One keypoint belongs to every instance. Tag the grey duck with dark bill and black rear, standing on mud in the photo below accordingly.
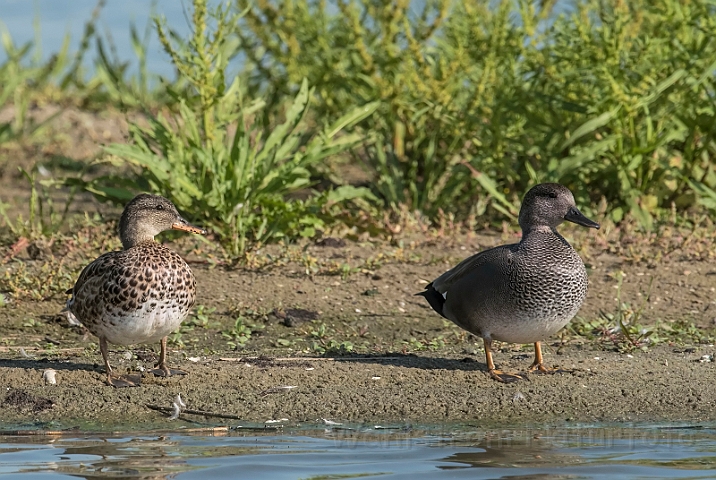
(523, 292)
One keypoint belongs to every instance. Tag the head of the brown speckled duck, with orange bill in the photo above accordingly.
(146, 216)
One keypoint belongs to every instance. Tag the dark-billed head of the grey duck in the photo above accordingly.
(548, 205)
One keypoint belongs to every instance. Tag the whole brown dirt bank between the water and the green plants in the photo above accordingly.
(361, 347)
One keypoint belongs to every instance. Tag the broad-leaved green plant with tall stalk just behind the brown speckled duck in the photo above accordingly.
(222, 159)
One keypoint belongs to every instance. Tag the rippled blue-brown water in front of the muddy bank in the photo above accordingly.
(353, 451)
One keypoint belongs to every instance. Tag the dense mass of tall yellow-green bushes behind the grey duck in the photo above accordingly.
(480, 100)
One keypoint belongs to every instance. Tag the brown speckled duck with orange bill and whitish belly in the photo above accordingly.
(142, 293)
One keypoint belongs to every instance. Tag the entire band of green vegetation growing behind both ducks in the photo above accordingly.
(453, 108)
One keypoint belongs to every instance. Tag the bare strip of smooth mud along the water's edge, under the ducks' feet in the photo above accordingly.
(666, 384)
